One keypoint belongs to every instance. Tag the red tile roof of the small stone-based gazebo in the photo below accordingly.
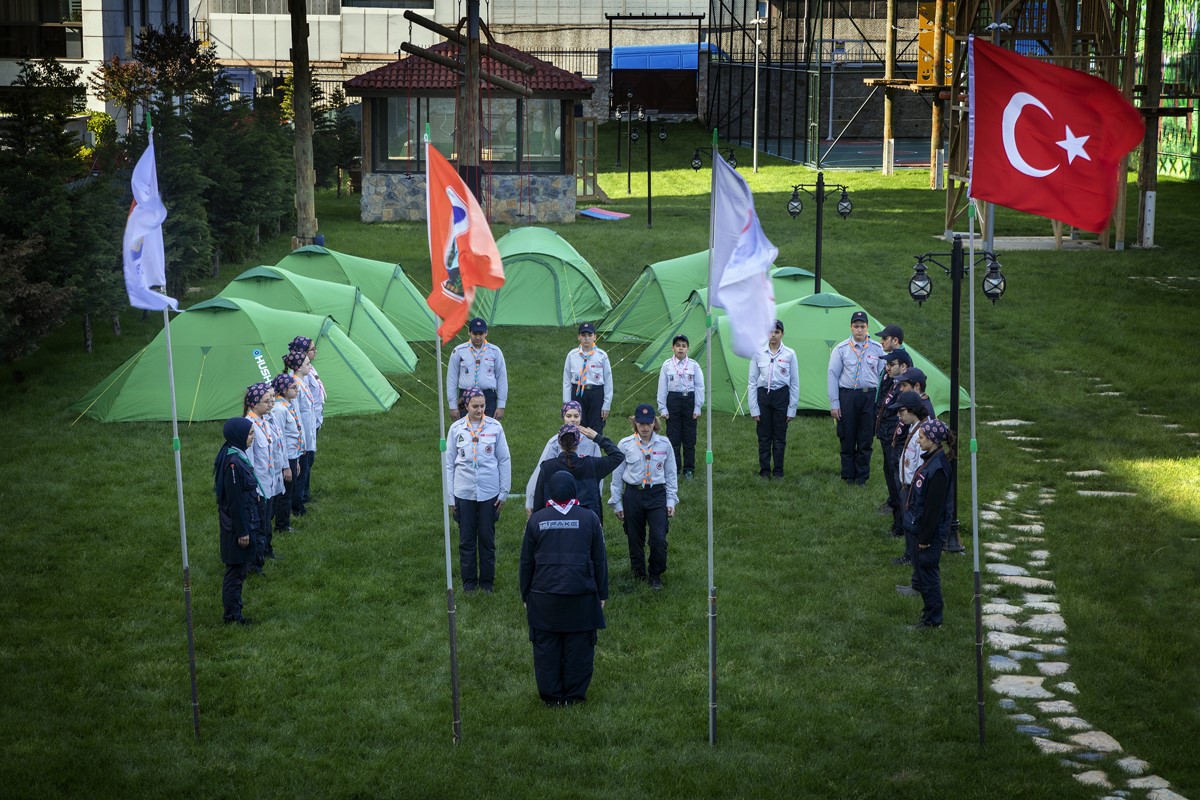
(417, 75)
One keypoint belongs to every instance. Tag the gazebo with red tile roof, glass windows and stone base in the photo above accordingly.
(527, 146)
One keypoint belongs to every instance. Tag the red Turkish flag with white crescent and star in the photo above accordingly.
(1047, 140)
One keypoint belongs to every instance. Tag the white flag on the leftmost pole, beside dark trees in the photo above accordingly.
(146, 261)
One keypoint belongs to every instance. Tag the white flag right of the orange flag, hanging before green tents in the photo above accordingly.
(742, 260)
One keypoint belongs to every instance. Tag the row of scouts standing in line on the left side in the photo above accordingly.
(262, 474)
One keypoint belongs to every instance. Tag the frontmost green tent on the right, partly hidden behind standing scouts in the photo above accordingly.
(814, 326)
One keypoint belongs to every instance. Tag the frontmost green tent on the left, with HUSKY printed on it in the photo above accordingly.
(223, 346)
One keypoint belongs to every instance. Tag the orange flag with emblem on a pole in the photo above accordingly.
(463, 251)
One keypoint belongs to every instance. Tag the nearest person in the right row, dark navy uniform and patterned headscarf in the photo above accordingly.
(927, 516)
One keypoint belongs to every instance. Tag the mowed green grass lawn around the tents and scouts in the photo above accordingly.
(344, 688)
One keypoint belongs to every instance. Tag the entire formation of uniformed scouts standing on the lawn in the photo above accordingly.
(874, 394)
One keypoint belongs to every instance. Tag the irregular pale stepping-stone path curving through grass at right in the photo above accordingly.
(1027, 635)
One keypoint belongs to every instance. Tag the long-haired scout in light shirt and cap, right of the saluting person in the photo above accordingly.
(645, 494)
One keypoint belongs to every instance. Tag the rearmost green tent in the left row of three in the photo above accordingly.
(385, 285)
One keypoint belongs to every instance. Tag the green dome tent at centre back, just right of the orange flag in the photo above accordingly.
(547, 282)
